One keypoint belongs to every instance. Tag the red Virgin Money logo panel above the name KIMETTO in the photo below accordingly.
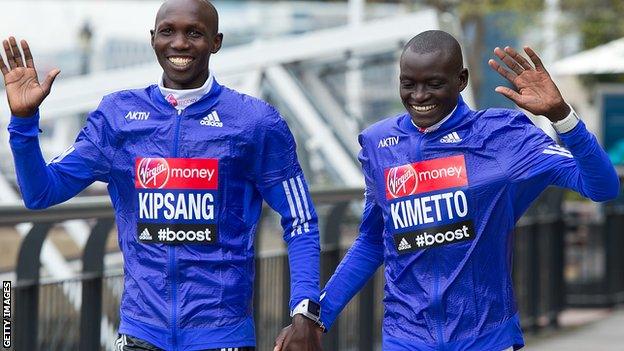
(426, 176)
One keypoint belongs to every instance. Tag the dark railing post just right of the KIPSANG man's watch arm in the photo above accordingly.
(330, 240)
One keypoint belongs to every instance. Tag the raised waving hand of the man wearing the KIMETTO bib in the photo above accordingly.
(535, 90)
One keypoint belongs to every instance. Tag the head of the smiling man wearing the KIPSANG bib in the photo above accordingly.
(184, 37)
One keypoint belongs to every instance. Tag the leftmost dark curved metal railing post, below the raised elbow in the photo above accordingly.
(27, 288)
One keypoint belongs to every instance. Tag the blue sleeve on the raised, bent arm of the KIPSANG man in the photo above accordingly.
(43, 185)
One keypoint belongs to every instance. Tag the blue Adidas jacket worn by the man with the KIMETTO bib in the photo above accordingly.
(440, 211)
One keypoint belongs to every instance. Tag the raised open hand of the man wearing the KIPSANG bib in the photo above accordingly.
(23, 90)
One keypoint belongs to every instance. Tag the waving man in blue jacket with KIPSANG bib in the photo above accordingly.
(188, 163)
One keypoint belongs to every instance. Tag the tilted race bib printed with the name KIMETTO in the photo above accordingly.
(428, 204)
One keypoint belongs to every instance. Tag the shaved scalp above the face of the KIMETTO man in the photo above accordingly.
(437, 41)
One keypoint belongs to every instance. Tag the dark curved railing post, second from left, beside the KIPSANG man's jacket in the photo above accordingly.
(92, 271)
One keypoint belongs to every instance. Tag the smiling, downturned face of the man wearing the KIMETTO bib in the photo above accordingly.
(429, 85)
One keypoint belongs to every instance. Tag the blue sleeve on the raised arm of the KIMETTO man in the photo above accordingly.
(537, 161)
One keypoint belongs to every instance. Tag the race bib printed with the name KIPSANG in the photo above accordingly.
(177, 199)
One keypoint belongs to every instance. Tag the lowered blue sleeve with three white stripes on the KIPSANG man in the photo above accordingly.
(281, 183)
